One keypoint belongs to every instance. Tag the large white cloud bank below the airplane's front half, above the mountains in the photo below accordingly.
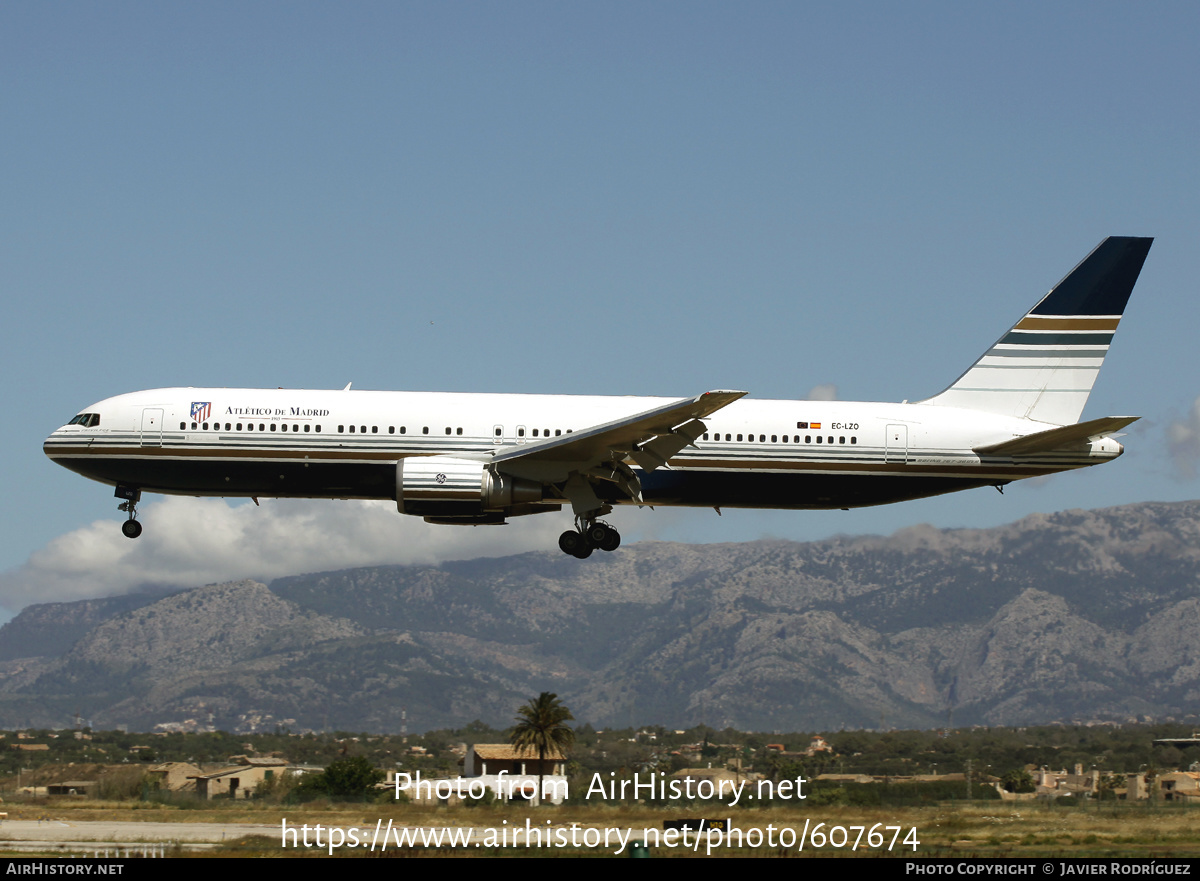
(190, 542)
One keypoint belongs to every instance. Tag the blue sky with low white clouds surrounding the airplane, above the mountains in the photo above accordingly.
(611, 199)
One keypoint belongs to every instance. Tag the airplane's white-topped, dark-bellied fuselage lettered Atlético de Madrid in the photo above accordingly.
(346, 445)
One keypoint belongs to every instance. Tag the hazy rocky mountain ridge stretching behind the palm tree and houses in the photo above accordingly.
(1055, 616)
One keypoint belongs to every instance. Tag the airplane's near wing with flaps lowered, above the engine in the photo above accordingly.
(650, 439)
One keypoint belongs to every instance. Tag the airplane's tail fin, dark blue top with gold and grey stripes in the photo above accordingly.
(1046, 367)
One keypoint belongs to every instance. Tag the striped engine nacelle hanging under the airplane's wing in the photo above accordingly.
(446, 487)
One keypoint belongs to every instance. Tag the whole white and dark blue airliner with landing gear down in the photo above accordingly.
(466, 459)
